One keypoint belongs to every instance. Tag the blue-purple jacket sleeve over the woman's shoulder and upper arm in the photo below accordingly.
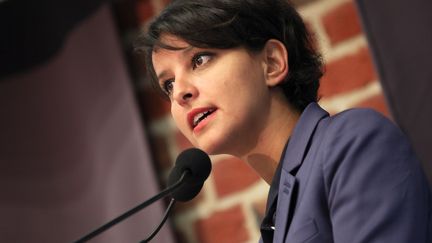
(369, 166)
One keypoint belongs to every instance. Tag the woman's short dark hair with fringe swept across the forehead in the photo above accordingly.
(225, 24)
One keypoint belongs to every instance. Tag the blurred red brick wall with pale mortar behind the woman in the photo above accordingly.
(231, 204)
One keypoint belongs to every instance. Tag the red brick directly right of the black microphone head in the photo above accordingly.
(232, 175)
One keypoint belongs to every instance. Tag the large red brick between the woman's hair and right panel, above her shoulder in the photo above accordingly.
(347, 73)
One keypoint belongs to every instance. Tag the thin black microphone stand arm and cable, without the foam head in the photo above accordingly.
(136, 209)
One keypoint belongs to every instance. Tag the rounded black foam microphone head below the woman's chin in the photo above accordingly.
(198, 165)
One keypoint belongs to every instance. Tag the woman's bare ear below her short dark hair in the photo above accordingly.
(276, 61)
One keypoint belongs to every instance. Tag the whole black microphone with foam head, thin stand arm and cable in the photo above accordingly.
(185, 181)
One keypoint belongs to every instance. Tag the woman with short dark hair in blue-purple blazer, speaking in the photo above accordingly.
(242, 78)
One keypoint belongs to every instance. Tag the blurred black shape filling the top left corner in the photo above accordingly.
(33, 31)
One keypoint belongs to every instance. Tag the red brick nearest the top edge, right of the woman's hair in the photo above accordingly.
(342, 23)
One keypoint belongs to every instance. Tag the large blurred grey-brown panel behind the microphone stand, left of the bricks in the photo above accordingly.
(73, 149)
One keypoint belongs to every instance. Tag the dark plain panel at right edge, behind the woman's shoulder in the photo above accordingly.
(400, 37)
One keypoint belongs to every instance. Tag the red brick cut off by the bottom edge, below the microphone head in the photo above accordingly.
(226, 226)
